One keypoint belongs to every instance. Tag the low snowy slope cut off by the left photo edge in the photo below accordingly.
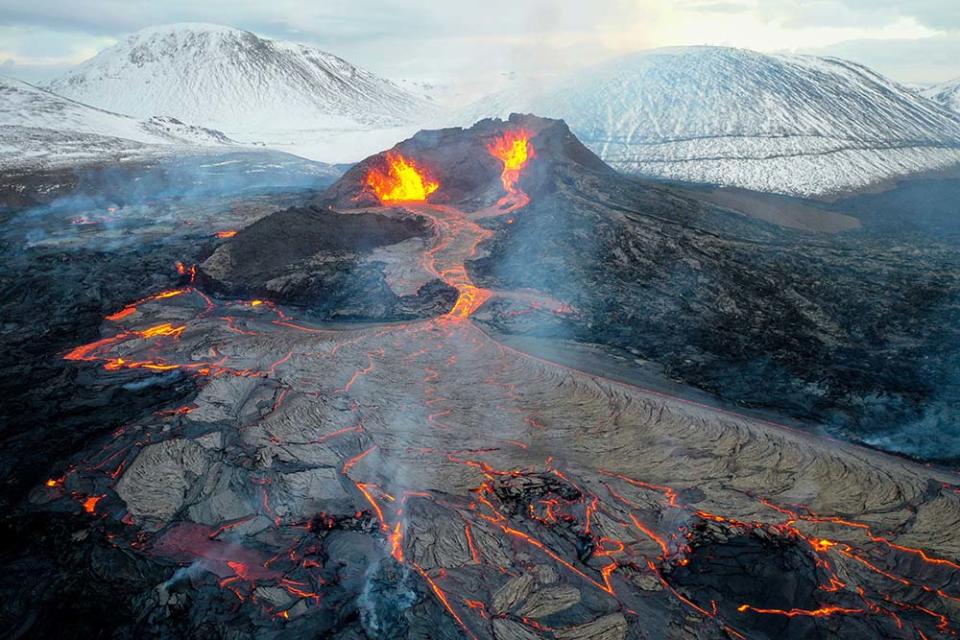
(39, 127)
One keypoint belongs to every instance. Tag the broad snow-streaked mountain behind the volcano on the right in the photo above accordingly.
(798, 125)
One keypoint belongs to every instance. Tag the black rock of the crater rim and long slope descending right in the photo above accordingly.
(853, 329)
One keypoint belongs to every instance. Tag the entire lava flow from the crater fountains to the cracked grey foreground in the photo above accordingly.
(424, 479)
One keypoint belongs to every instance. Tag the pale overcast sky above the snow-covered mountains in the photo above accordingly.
(912, 41)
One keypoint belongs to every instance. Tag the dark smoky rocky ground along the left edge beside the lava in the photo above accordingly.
(92, 240)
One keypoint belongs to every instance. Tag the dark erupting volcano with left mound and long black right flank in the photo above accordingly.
(700, 294)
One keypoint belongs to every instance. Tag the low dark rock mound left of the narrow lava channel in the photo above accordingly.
(314, 258)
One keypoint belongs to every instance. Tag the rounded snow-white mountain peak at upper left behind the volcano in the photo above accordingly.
(254, 89)
